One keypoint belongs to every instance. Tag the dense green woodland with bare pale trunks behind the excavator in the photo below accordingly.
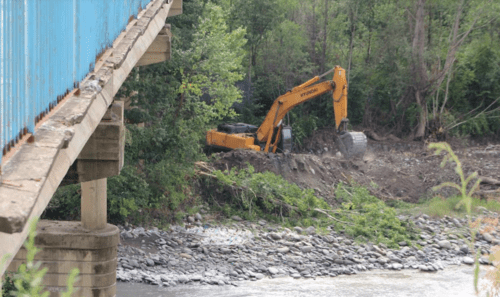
(415, 67)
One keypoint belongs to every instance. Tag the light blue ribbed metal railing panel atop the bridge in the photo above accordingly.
(47, 47)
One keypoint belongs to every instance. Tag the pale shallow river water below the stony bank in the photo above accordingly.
(451, 282)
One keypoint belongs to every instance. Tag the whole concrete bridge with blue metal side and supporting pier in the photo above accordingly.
(61, 64)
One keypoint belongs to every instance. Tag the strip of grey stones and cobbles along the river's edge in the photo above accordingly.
(206, 254)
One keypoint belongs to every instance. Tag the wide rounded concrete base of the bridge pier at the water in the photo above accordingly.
(66, 245)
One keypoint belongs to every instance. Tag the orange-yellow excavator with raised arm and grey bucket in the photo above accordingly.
(272, 133)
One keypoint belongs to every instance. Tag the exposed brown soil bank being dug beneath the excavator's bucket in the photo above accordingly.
(390, 169)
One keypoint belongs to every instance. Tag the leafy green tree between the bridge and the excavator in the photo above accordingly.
(178, 101)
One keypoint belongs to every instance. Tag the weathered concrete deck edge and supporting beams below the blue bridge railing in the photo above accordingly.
(32, 173)
